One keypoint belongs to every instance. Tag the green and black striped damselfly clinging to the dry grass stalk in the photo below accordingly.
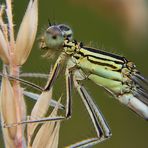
(115, 73)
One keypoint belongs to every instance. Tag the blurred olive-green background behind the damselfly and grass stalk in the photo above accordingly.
(105, 25)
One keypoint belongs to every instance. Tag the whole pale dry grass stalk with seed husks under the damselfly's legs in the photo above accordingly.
(14, 53)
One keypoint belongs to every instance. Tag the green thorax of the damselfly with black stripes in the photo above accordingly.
(105, 69)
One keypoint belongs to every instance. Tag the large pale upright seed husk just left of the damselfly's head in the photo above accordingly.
(27, 33)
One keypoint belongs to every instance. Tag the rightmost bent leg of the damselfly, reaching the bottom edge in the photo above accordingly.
(102, 129)
